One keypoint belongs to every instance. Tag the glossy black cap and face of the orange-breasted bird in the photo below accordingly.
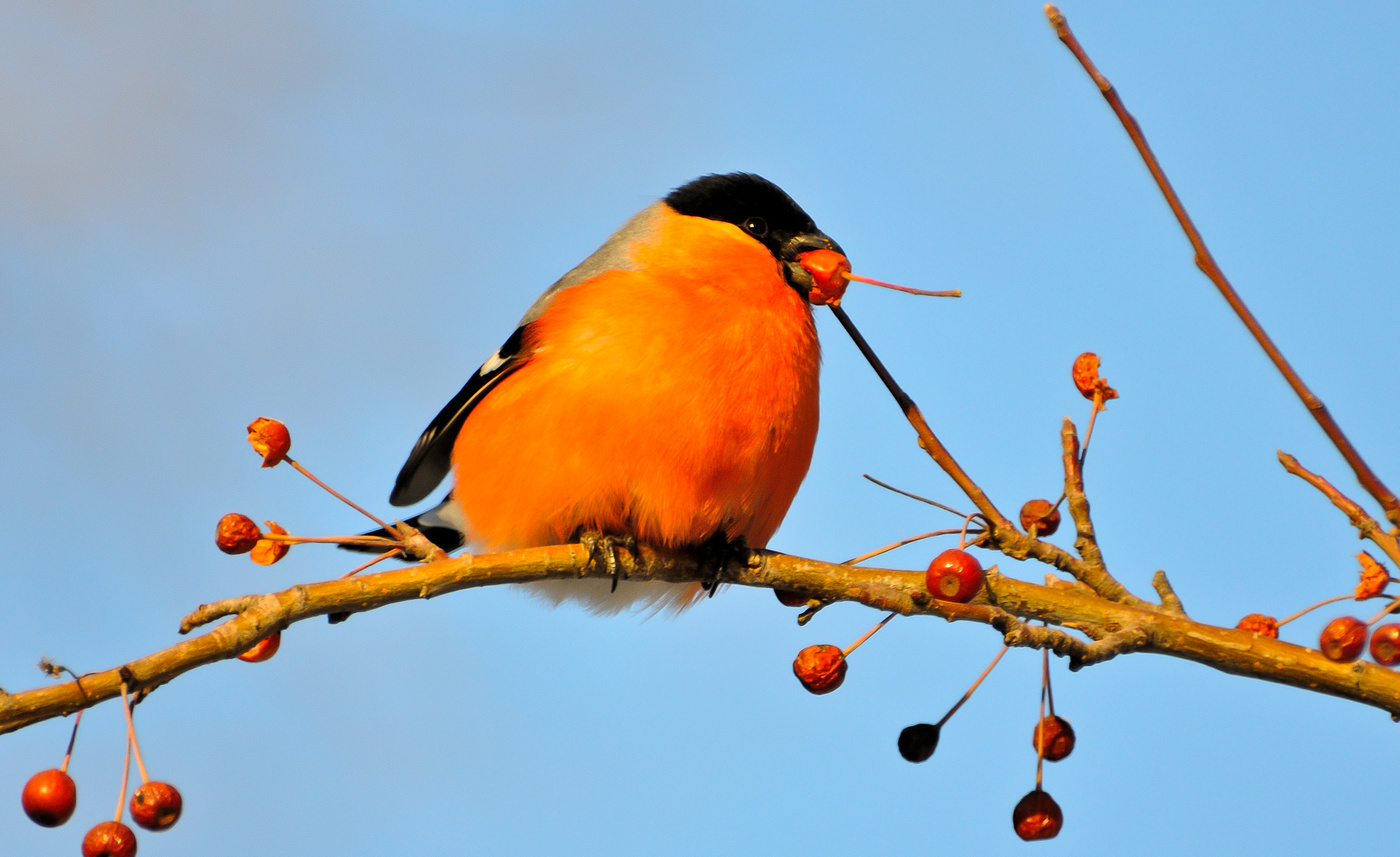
(757, 207)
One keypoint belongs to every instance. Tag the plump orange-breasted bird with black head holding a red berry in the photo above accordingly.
(666, 390)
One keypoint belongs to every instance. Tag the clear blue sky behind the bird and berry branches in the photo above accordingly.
(332, 214)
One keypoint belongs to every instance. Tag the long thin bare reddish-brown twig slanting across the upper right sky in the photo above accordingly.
(1207, 264)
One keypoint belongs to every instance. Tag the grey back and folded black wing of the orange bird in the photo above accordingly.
(432, 457)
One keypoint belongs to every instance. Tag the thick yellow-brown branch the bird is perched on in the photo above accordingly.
(1007, 606)
